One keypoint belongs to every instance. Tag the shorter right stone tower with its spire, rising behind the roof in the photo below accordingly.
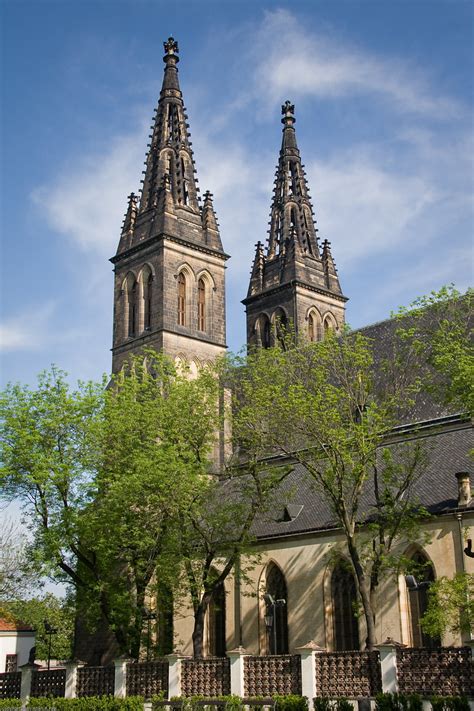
(293, 283)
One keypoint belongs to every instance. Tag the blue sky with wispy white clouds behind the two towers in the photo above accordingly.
(383, 94)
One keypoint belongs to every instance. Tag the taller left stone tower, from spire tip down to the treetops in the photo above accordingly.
(169, 267)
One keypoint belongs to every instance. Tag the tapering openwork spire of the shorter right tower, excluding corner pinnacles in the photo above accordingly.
(291, 219)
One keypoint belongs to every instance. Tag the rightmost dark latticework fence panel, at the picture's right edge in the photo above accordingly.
(447, 671)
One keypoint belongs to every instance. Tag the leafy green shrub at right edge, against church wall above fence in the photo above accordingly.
(450, 606)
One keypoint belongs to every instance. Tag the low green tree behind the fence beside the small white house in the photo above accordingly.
(59, 612)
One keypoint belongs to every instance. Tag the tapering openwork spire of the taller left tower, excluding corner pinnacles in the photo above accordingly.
(170, 148)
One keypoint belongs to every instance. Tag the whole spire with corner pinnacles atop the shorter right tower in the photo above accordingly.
(293, 251)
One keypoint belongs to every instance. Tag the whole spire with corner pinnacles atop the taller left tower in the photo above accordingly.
(169, 201)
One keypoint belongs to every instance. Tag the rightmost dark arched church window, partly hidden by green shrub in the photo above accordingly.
(418, 601)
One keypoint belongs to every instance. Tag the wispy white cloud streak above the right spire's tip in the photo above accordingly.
(312, 64)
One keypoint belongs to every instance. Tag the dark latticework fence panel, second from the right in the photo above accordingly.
(351, 674)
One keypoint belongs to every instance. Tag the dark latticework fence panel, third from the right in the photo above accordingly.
(264, 676)
